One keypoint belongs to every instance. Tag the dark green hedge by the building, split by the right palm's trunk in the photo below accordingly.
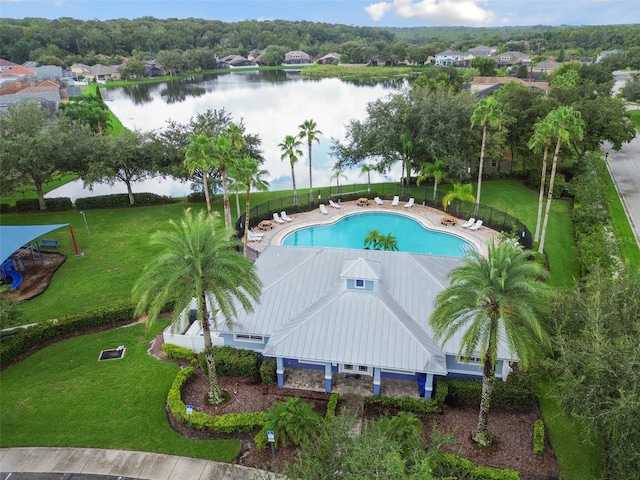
(518, 389)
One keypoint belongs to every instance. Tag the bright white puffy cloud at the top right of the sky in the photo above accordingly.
(441, 12)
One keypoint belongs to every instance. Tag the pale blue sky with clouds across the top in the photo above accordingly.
(391, 13)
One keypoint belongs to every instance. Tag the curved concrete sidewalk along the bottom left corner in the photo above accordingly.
(122, 464)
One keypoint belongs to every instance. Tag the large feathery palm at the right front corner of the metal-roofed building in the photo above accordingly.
(498, 296)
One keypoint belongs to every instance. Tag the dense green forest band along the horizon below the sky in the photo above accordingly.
(65, 41)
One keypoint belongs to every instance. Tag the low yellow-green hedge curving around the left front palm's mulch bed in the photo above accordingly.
(228, 423)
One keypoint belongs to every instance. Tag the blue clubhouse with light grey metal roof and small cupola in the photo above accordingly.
(363, 313)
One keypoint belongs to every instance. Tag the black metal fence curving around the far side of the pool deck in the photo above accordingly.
(491, 217)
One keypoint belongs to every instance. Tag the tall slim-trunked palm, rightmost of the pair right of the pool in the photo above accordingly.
(568, 125)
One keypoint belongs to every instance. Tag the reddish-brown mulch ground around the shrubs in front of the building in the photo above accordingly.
(511, 427)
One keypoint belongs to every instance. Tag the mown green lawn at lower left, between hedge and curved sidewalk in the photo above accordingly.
(63, 396)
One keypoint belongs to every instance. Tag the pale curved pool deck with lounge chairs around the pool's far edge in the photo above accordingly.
(426, 216)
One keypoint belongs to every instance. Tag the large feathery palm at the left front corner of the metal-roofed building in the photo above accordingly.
(196, 262)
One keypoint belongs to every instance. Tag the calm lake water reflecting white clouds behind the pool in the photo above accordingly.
(271, 105)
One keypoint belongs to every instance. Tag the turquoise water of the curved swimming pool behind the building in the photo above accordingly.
(351, 231)
